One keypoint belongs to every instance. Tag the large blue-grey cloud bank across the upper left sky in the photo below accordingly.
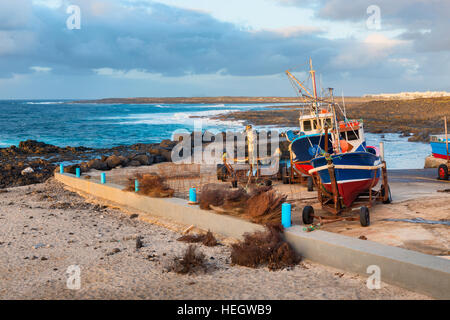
(155, 38)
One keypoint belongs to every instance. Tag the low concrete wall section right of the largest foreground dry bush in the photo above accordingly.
(408, 269)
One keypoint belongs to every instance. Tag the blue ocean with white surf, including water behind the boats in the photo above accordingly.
(63, 124)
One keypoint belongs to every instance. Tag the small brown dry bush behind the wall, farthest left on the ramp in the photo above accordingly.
(150, 185)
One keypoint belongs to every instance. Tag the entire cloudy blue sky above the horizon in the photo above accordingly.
(167, 48)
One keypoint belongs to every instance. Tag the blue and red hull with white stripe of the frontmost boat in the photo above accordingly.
(351, 182)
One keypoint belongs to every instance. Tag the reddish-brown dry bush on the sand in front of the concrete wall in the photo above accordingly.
(264, 248)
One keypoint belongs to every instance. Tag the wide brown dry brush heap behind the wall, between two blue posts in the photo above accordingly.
(260, 204)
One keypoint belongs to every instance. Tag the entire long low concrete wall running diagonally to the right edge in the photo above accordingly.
(411, 270)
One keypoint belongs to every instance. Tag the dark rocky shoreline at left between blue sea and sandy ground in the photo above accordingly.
(34, 162)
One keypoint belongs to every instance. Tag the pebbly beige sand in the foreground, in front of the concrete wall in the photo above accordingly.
(67, 231)
